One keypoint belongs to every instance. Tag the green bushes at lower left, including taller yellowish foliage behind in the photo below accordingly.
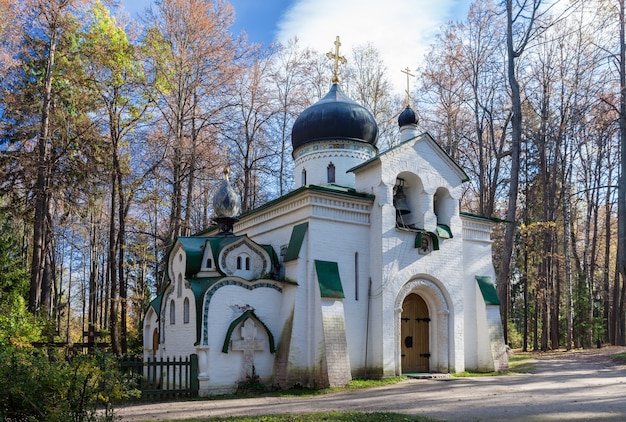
(46, 385)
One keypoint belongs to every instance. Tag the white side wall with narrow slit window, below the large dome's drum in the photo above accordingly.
(338, 230)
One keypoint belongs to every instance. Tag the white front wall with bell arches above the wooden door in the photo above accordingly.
(425, 170)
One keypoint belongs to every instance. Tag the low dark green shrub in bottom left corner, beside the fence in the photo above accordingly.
(37, 386)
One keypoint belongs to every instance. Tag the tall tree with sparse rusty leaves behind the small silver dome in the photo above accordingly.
(191, 55)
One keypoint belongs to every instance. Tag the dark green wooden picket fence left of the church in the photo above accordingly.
(162, 378)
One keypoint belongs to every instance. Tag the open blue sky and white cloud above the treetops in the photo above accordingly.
(401, 30)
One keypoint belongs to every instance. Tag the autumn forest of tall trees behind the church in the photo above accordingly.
(114, 134)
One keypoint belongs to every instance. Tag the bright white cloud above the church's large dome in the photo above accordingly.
(401, 30)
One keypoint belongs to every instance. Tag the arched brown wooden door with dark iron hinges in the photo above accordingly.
(415, 348)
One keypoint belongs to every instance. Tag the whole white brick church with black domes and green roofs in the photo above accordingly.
(367, 269)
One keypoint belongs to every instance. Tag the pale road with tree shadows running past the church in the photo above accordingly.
(574, 386)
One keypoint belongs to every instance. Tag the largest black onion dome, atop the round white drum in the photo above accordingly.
(334, 117)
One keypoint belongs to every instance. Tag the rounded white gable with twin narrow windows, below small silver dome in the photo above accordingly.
(244, 258)
